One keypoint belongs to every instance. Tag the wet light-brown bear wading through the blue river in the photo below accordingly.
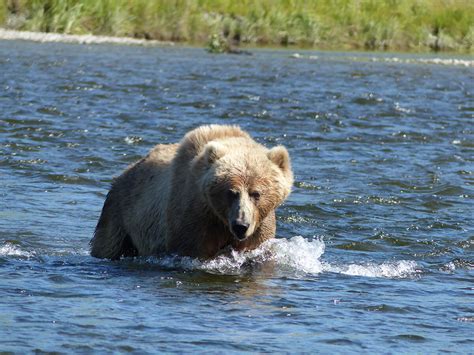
(216, 189)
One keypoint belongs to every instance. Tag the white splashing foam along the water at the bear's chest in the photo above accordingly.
(293, 256)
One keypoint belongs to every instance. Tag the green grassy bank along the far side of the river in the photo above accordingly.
(415, 25)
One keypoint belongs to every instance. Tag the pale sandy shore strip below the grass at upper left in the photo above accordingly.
(81, 39)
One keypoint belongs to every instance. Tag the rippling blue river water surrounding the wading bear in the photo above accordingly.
(375, 245)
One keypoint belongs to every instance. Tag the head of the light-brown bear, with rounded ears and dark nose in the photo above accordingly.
(242, 182)
